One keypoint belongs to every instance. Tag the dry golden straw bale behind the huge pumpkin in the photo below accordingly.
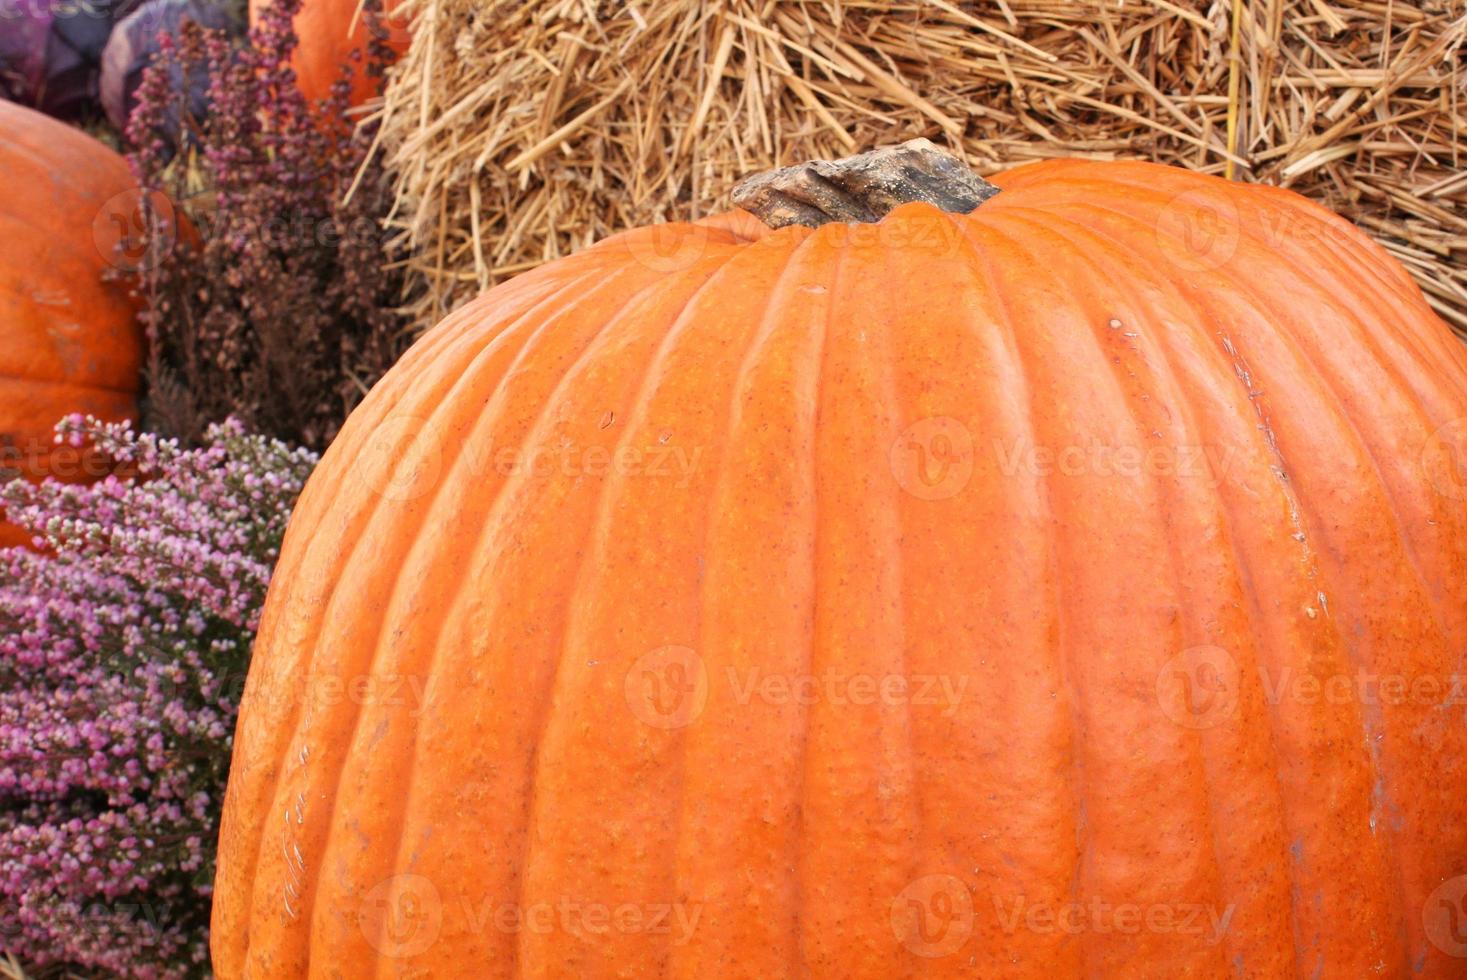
(523, 131)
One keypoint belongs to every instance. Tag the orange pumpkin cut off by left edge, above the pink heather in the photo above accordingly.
(70, 340)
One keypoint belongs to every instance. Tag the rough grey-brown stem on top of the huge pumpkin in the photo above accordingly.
(863, 189)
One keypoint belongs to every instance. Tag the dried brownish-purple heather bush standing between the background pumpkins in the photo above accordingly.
(278, 303)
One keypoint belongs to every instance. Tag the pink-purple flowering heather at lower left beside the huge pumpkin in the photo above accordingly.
(124, 645)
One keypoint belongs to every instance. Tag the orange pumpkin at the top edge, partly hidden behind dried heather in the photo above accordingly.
(328, 32)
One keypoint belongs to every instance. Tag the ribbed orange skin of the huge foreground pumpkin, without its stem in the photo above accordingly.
(500, 629)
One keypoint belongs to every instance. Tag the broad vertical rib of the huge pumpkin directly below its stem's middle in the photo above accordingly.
(860, 755)
